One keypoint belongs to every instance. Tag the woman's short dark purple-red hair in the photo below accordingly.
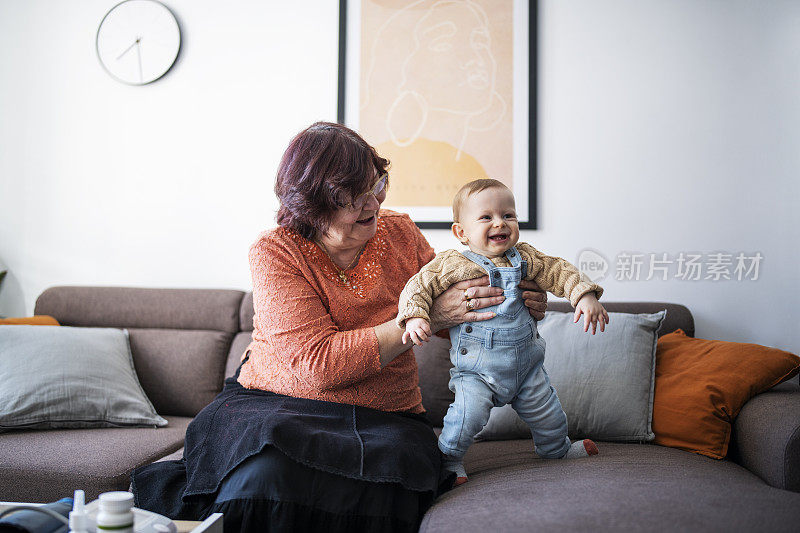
(324, 167)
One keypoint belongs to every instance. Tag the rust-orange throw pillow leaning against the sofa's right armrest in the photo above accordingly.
(702, 384)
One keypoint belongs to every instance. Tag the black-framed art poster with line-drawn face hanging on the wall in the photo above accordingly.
(446, 90)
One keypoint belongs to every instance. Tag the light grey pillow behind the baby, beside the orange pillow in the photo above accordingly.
(605, 381)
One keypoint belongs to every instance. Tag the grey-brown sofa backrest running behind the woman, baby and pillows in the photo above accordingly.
(186, 341)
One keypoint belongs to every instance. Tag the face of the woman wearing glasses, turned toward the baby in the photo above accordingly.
(353, 227)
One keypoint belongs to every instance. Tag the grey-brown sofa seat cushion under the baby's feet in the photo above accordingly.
(628, 487)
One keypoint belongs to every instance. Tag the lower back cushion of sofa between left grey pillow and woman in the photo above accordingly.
(181, 371)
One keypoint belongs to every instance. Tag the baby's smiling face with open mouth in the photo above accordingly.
(488, 222)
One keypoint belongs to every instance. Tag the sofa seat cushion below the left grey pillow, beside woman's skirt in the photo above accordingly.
(45, 465)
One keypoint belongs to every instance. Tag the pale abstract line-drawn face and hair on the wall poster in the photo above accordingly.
(450, 70)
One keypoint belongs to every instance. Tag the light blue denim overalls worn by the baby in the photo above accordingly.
(499, 361)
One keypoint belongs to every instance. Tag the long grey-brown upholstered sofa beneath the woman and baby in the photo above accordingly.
(186, 341)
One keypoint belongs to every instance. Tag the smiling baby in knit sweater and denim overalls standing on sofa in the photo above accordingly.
(498, 361)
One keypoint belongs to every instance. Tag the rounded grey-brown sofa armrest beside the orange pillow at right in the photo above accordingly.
(766, 436)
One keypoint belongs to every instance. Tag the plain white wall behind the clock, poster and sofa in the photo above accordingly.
(665, 127)
